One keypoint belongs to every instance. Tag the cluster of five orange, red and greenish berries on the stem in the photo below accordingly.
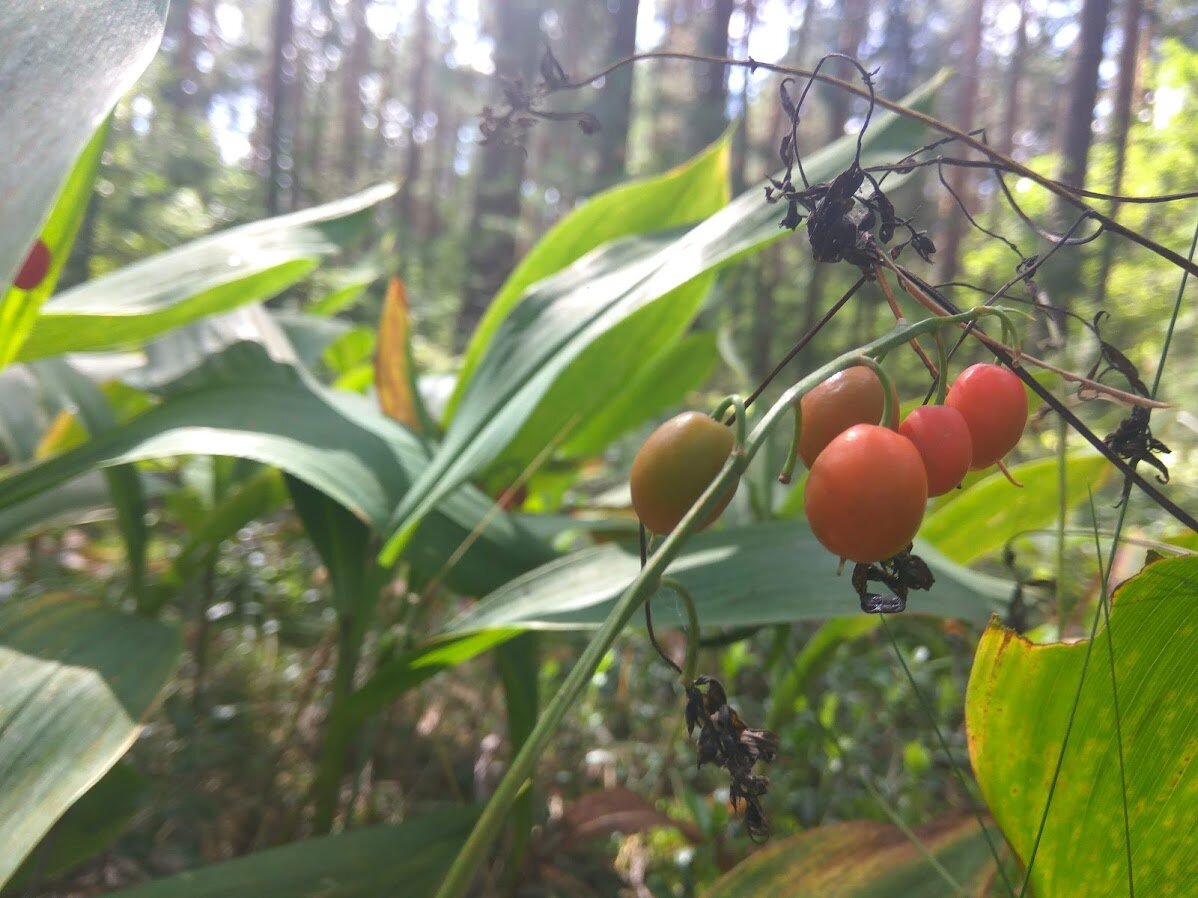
(869, 483)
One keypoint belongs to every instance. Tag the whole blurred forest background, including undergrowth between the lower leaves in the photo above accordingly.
(257, 108)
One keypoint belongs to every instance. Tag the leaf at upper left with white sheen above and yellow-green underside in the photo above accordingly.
(209, 276)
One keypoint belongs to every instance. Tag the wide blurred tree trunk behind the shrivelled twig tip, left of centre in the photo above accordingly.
(492, 244)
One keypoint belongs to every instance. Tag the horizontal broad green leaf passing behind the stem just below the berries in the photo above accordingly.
(769, 574)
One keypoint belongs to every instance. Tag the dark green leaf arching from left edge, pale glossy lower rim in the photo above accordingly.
(244, 405)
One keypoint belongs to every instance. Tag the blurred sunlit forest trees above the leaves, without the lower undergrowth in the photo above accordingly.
(256, 108)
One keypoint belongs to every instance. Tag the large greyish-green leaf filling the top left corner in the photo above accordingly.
(63, 68)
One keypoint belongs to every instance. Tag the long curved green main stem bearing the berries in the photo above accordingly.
(475, 851)
